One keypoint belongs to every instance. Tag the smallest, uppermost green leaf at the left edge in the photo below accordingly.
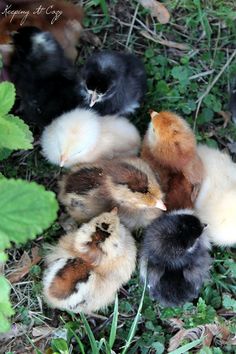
(7, 97)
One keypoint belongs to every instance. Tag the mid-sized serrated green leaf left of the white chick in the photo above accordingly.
(14, 133)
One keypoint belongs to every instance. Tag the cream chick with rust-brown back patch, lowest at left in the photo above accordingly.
(87, 268)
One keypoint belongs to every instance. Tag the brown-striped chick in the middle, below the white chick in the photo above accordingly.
(127, 183)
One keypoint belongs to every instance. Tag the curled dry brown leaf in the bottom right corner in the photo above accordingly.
(208, 331)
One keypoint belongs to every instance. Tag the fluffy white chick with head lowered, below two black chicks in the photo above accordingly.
(81, 135)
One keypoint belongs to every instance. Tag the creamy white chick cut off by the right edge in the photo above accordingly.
(216, 201)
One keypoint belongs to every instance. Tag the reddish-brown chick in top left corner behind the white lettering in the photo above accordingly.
(61, 18)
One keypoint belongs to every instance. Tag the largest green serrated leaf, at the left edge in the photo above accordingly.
(26, 209)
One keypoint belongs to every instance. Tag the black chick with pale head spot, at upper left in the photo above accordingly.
(45, 79)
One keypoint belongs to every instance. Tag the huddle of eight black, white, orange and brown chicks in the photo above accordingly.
(182, 195)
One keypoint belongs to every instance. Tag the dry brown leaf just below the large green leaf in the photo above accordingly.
(22, 267)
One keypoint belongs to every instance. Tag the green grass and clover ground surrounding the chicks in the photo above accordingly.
(193, 82)
